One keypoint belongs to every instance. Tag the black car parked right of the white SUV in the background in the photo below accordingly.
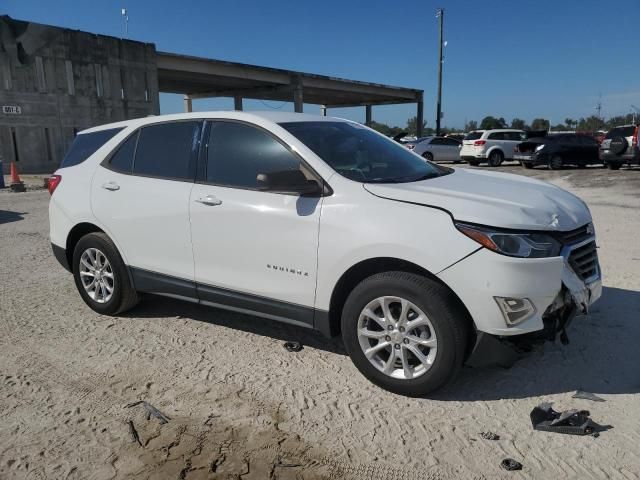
(557, 150)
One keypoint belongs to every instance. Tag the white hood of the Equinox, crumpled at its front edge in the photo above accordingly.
(494, 199)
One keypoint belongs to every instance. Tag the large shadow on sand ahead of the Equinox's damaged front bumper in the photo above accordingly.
(602, 358)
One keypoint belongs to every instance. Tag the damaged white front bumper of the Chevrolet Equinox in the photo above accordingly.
(548, 283)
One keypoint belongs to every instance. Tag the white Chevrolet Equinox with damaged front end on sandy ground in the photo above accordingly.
(325, 224)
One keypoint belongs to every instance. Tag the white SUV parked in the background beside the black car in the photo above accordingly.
(492, 146)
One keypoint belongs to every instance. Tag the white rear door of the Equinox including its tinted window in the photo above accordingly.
(141, 196)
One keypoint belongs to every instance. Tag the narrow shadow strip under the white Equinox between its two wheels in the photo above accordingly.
(153, 306)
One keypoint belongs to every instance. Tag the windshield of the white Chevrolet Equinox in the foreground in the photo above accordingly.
(357, 153)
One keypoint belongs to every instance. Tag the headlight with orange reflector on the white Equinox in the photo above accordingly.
(525, 245)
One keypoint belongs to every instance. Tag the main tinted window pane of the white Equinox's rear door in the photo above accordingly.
(168, 150)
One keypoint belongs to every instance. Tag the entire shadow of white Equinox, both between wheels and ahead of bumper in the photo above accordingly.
(602, 357)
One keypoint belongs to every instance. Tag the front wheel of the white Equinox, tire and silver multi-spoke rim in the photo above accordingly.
(447, 321)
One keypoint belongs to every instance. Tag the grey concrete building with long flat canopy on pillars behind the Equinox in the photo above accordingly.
(55, 82)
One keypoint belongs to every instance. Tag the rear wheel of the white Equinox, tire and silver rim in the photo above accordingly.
(123, 296)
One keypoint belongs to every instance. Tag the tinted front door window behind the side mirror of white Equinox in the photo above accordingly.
(237, 153)
